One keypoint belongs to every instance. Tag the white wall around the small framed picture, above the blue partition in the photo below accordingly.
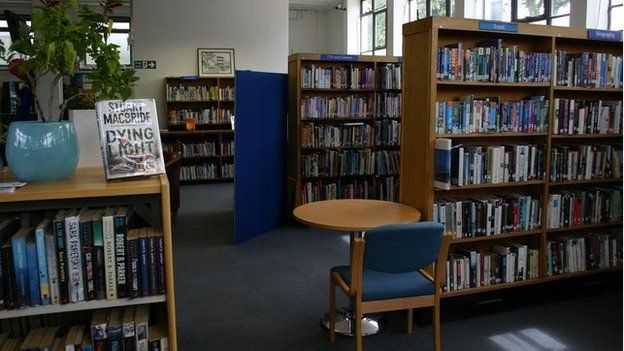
(171, 31)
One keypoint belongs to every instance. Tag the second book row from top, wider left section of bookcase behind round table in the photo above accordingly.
(352, 106)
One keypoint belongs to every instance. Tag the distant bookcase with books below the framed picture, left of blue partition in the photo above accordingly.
(211, 102)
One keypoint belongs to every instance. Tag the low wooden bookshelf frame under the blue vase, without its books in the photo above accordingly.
(88, 188)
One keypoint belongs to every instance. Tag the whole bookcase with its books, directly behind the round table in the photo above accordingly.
(344, 123)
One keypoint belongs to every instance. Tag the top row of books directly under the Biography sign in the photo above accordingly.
(588, 69)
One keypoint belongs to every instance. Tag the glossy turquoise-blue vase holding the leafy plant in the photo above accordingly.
(38, 151)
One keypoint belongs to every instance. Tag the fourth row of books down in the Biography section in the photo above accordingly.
(568, 208)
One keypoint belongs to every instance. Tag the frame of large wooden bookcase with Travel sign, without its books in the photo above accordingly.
(424, 88)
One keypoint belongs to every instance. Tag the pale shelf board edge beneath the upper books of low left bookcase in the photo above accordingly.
(80, 306)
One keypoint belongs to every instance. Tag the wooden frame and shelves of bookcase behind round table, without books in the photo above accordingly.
(373, 94)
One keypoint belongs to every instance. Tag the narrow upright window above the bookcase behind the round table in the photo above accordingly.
(373, 24)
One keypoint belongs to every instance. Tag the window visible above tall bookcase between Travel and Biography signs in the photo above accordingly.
(551, 12)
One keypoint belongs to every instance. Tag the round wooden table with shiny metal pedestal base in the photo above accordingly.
(356, 217)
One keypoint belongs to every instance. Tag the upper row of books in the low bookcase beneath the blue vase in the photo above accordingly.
(79, 255)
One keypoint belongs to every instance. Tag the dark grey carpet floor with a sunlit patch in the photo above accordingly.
(269, 293)
